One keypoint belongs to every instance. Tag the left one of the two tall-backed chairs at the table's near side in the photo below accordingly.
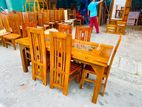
(38, 54)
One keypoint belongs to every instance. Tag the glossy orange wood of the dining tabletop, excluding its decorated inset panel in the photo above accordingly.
(81, 54)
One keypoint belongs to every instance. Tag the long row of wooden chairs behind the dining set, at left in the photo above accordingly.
(14, 22)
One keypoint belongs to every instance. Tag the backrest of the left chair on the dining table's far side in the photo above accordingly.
(65, 28)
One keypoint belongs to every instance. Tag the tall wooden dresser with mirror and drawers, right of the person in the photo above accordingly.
(113, 26)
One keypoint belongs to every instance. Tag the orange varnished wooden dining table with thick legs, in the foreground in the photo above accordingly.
(94, 54)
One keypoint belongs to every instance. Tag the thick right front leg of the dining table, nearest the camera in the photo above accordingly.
(99, 74)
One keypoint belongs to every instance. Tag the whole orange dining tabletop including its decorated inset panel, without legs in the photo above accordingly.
(87, 52)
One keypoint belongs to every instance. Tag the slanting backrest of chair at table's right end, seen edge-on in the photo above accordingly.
(114, 53)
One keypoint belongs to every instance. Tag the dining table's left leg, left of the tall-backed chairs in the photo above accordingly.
(23, 58)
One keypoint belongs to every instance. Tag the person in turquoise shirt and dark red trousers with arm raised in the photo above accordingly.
(93, 14)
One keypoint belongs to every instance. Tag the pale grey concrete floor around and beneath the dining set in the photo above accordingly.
(124, 88)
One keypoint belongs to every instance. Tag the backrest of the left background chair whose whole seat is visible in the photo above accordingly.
(14, 22)
